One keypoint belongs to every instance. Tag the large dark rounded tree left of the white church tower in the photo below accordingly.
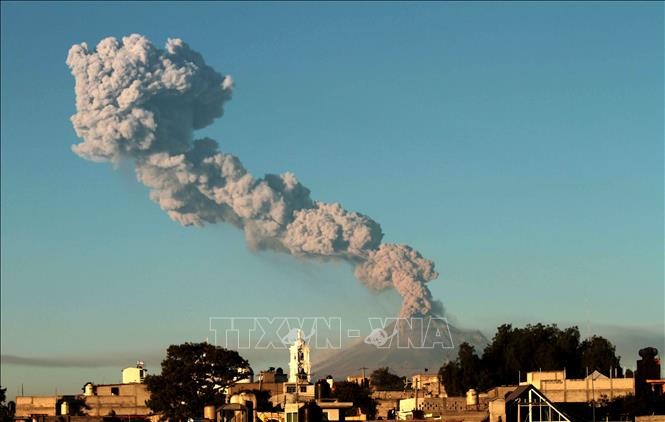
(193, 375)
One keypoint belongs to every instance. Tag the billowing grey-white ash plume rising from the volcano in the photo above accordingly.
(137, 102)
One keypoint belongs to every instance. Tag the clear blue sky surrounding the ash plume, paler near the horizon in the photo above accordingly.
(518, 145)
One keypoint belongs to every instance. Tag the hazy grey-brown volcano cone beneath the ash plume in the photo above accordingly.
(405, 347)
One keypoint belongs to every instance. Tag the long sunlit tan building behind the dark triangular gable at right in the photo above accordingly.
(596, 386)
